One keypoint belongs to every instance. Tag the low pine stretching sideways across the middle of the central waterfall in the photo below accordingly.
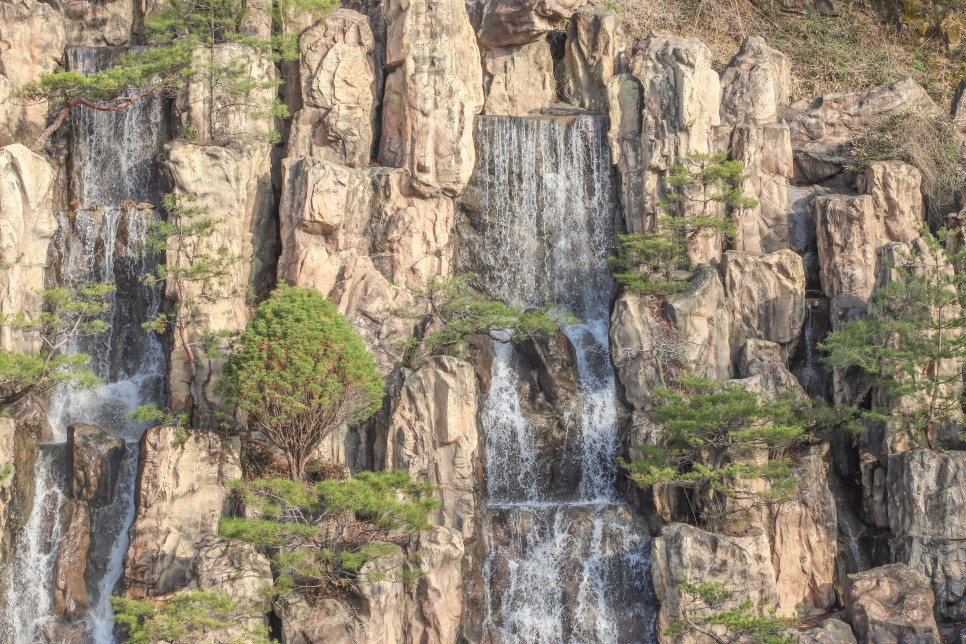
(454, 310)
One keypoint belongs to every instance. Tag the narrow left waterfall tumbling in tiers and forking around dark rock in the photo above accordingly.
(102, 239)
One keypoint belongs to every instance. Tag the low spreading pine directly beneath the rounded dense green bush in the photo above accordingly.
(321, 535)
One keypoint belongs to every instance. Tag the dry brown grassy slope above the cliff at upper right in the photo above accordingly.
(852, 52)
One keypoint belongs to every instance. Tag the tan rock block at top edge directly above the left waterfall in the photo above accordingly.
(100, 24)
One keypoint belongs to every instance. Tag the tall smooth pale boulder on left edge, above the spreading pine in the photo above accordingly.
(27, 225)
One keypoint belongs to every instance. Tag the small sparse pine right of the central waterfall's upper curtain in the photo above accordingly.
(703, 197)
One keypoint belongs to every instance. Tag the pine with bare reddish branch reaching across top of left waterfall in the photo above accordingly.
(183, 36)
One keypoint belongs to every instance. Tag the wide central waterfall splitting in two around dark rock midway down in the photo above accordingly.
(559, 568)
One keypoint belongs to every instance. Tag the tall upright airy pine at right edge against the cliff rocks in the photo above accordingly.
(912, 343)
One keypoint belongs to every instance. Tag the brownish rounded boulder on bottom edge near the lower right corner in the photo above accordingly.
(891, 604)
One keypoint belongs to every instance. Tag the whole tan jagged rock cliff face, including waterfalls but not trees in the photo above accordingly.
(513, 139)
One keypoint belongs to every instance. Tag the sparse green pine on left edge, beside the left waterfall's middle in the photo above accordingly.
(69, 313)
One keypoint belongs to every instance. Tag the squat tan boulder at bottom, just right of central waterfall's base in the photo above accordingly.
(686, 554)
